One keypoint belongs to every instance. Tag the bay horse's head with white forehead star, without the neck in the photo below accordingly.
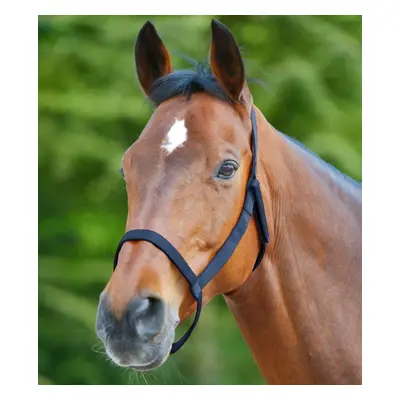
(186, 179)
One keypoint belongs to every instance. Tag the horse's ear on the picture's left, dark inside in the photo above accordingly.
(151, 57)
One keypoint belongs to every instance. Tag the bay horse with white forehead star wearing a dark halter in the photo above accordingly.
(292, 278)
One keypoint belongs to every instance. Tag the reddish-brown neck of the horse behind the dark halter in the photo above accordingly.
(300, 311)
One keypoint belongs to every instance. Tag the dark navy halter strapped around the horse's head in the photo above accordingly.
(252, 204)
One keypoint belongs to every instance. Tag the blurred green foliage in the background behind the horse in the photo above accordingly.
(91, 109)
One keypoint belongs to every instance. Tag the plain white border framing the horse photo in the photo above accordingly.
(19, 193)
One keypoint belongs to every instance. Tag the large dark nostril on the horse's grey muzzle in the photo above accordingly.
(146, 316)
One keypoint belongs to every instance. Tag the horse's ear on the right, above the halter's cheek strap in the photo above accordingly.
(226, 62)
